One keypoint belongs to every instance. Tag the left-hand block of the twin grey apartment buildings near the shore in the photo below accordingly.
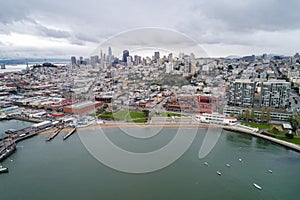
(241, 93)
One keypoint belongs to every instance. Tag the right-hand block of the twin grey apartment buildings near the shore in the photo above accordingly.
(275, 94)
